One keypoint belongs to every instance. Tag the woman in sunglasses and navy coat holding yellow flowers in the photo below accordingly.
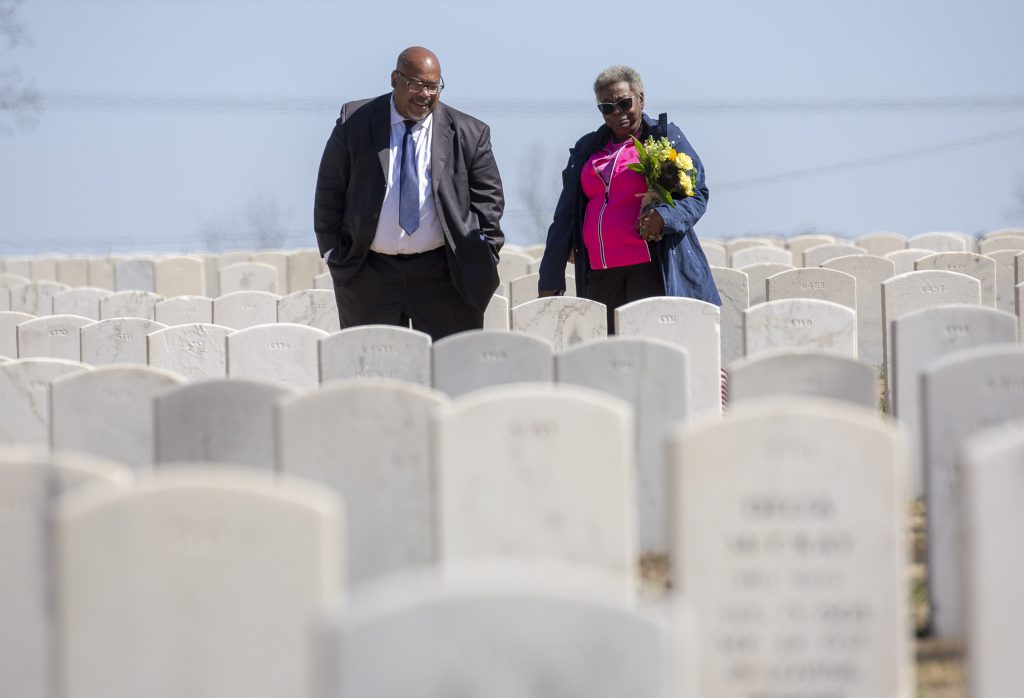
(632, 192)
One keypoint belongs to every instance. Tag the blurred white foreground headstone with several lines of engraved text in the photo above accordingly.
(790, 522)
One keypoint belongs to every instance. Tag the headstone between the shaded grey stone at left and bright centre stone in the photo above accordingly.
(370, 441)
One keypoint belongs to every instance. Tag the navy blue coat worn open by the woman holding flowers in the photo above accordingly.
(685, 267)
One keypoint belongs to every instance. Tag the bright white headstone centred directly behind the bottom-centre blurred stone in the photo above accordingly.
(539, 471)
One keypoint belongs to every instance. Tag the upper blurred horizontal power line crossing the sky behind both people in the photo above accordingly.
(122, 102)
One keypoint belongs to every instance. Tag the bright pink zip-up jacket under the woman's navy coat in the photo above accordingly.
(615, 195)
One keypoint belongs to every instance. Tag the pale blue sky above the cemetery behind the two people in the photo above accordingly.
(168, 124)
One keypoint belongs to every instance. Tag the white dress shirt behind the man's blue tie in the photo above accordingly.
(391, 239)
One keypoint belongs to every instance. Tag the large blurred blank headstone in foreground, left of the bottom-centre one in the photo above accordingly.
(194, 583)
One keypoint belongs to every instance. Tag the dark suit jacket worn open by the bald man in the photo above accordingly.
(467, 193)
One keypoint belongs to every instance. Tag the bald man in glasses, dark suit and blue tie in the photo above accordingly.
(408, 207)
